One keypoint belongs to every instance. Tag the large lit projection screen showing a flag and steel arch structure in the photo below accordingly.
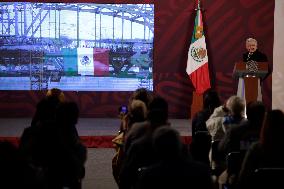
(76, 47)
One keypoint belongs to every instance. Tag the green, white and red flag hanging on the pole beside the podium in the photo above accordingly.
(197, 62)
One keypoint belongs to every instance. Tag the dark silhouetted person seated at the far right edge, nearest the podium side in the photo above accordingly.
(267, 153)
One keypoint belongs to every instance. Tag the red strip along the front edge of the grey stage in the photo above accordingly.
(90, 141)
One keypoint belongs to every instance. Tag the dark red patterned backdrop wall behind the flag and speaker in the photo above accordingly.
(227, 25)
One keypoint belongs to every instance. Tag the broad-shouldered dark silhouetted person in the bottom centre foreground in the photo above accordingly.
(172, 170)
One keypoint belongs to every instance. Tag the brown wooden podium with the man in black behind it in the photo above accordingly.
(249, 80)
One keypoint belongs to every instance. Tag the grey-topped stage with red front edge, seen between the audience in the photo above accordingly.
(94, 132)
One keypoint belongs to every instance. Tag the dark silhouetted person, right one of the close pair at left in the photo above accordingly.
(67, 168)
